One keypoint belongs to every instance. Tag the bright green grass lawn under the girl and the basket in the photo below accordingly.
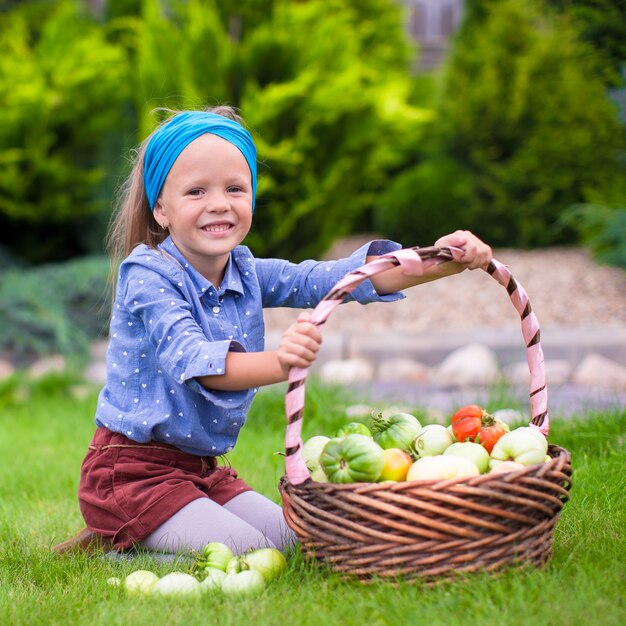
(45, 431)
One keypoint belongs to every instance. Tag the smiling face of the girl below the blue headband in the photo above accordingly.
(206, 203)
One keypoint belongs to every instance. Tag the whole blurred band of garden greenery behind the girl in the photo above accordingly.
(404, 118)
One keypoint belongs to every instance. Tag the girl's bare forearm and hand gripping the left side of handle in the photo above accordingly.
(244, 370)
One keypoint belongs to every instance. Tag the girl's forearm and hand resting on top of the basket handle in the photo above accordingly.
(476, 254)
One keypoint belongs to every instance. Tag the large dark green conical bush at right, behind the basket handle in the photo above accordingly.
(524, 129)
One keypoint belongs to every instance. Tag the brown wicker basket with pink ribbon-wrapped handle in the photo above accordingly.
(427, 531)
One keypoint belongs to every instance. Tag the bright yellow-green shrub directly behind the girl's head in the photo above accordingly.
(323, 86)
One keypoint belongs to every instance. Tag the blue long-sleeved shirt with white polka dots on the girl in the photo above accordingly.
(170, 325)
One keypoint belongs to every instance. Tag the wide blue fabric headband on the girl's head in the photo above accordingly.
(174, 136)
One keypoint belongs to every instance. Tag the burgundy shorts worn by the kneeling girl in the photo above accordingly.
(128, 489)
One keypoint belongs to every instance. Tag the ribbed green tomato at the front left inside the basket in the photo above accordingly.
(353, 458)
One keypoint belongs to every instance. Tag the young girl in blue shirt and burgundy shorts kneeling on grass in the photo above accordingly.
(186, 353)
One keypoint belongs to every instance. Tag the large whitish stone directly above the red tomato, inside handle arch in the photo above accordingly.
(474, 364)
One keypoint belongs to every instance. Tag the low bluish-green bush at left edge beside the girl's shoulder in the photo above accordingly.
(56, 308)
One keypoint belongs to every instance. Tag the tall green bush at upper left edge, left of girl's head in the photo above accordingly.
(61, 88)
